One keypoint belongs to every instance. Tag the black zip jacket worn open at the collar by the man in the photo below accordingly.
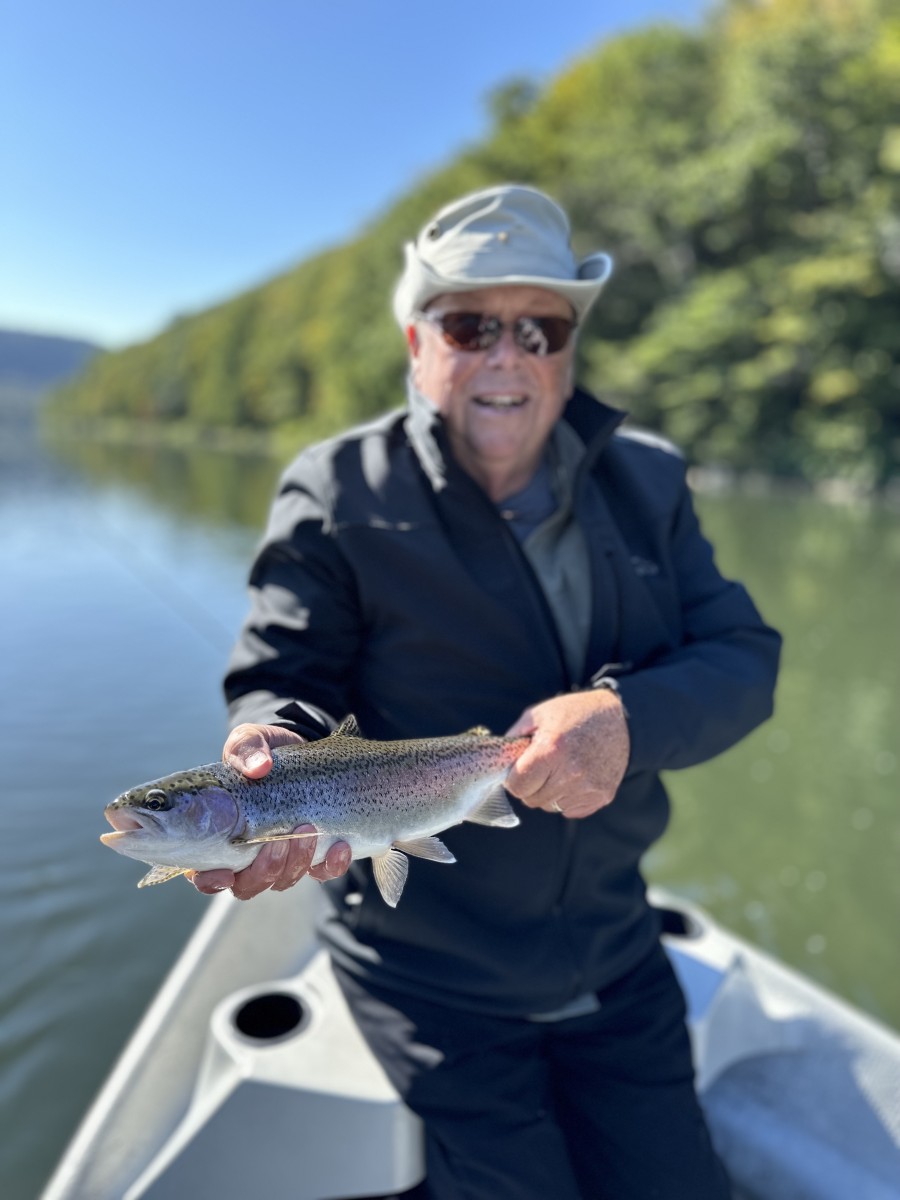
(389, 586)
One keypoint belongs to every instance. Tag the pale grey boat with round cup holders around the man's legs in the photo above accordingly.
(248, 1076)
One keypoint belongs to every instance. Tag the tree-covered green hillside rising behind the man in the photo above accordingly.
(746, 176)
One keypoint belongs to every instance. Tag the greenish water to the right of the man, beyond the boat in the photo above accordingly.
(791, 838)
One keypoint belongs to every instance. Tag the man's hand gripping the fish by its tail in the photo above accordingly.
(579, 753)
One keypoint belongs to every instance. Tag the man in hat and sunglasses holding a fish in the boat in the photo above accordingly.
(500, 554)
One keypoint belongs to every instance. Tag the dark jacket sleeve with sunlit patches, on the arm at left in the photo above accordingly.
(295, 657)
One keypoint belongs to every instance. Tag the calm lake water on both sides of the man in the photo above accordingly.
(121, 591)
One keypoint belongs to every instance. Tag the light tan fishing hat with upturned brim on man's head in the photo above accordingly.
(501, 236)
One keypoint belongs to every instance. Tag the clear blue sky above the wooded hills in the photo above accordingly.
(159, 157)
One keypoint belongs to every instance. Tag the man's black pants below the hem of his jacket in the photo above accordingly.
(595, 1108)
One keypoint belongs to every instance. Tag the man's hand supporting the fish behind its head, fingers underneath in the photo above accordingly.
(280, 865)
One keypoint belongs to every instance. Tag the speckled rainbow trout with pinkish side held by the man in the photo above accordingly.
(386, 799)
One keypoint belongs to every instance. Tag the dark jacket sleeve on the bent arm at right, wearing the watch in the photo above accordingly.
(718, 685)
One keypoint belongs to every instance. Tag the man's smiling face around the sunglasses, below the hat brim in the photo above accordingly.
(500, 405)
